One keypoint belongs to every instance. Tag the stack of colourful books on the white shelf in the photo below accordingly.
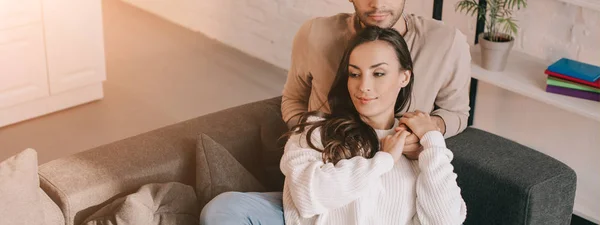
(574, 78)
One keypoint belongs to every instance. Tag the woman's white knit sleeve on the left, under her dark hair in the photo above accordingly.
(317, 187)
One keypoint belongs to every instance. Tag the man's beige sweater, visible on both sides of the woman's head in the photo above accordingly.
(440, 53)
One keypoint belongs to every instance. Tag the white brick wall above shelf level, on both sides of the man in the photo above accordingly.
(265, 28)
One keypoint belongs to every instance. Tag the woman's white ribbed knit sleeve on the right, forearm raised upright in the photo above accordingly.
(438, 196)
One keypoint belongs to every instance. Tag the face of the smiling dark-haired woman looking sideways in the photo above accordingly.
(375, 79)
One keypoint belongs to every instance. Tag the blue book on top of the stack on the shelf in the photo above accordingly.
(576, 69)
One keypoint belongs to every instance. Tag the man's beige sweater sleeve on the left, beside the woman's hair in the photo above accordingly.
(297, 88)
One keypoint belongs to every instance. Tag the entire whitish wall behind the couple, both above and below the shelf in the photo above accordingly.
(549, 29)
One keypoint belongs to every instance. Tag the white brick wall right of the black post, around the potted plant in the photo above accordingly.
(549, 30)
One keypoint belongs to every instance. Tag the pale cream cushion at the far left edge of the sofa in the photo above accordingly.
(19, 190)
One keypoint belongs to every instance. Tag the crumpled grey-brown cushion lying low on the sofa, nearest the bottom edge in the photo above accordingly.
(153, 204)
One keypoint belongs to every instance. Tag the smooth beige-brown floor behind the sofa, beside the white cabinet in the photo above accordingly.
(157, 74)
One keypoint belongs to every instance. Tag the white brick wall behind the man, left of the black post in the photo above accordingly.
(262, 28)
